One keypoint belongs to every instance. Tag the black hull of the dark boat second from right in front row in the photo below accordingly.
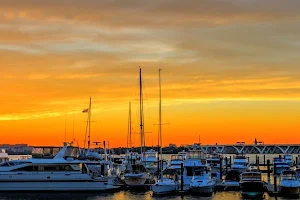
(252, 189)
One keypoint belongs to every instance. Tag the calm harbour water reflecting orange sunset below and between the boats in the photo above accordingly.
(124, 195)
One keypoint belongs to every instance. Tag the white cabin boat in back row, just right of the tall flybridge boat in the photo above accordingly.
(213, 161)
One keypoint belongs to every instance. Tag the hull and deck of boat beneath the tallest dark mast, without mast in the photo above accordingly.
(137, 176)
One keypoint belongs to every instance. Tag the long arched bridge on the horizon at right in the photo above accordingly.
(249, 148)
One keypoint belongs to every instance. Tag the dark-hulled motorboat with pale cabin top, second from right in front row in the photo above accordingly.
(251, 184)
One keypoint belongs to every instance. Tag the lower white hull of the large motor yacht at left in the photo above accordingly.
(56, 186)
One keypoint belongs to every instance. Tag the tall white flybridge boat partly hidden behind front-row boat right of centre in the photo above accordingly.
(195, 159)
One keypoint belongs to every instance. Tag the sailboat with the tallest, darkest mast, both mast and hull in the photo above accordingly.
(138, 175)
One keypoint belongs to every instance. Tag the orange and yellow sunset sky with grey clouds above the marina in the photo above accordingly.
(230, 70)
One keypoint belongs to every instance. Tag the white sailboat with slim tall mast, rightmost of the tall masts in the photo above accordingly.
(163, 185)
